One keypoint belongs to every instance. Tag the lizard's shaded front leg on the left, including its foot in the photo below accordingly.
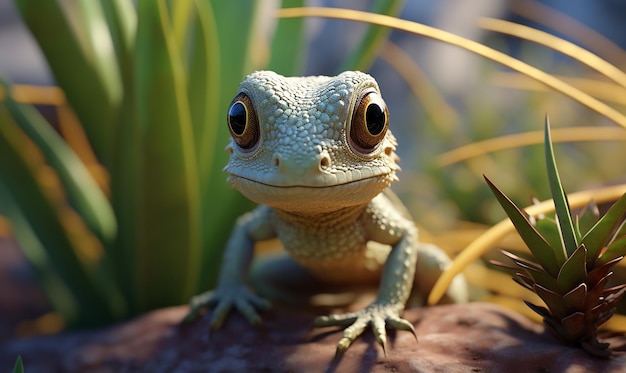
(231, 289)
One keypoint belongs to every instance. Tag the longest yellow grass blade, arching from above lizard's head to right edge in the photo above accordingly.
(470, 45)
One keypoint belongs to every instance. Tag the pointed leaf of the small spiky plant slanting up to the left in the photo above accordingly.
(540, 248)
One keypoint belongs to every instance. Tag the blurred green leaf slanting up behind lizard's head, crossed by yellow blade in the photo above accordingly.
(363, 55)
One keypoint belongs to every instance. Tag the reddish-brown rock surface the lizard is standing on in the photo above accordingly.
(475, 337)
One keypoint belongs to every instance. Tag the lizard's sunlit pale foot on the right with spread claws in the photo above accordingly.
(377, 315)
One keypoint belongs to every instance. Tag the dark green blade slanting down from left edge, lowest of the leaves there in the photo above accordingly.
(44, 216)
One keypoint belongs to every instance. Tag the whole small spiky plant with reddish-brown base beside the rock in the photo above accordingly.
(571, 261)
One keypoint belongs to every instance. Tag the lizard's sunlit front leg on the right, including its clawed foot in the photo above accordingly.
(395, 288)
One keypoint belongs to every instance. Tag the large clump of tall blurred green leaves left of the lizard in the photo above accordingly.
(150, 82)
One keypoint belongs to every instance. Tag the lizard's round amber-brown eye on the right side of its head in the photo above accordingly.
(369, 122)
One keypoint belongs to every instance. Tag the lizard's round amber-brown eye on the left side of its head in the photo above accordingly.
(242, 121)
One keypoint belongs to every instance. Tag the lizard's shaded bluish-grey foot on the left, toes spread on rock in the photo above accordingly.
(223, 299)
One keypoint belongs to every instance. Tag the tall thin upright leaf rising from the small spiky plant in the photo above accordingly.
(561, 206)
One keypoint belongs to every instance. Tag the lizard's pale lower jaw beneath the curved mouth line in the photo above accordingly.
(312, 198)
